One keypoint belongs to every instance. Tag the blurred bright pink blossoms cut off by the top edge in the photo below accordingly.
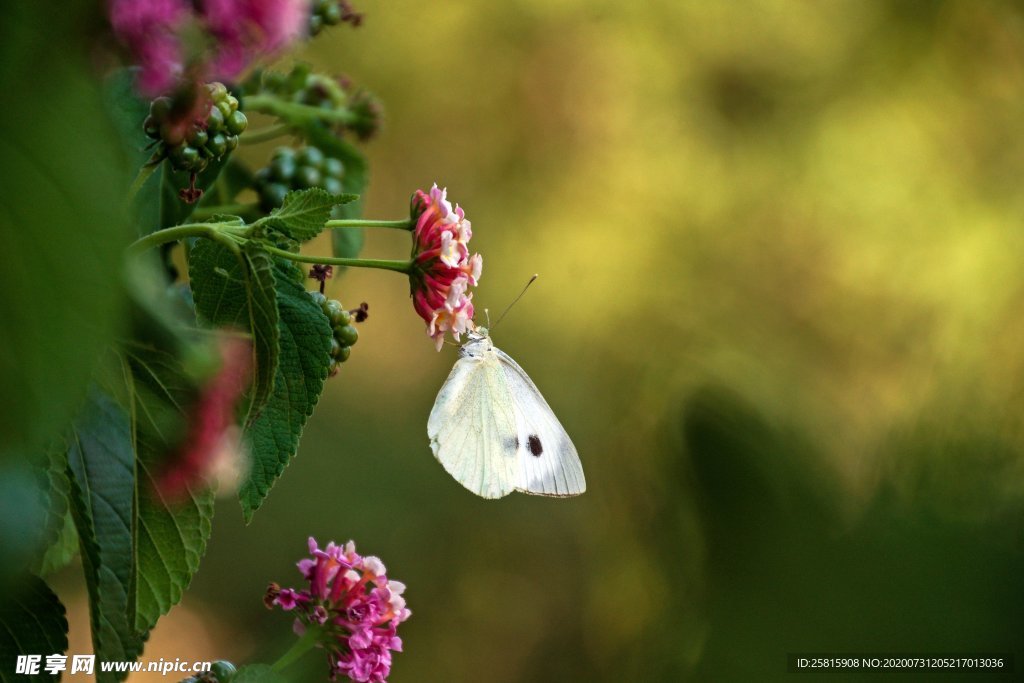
(157, 33)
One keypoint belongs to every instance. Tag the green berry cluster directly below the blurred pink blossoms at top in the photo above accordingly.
(191, 143)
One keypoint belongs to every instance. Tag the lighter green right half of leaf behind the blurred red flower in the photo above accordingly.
(173, 535)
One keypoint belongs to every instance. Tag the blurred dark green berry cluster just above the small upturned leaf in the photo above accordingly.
(296, 169)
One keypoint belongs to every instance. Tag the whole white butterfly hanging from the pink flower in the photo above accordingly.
(493, 432)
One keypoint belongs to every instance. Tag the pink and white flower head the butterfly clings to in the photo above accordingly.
(444, 271)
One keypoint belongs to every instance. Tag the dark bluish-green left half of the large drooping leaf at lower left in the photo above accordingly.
(102, 464)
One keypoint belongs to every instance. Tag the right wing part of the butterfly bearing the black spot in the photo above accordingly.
(547, 461)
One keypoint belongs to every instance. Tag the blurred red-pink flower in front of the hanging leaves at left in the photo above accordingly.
(212, 425)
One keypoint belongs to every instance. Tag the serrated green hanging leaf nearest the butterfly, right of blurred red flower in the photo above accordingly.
(306, 347)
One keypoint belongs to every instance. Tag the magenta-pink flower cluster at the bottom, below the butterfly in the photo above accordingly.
(357, 609)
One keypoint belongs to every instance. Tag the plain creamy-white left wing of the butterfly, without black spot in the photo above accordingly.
(473, 426)
